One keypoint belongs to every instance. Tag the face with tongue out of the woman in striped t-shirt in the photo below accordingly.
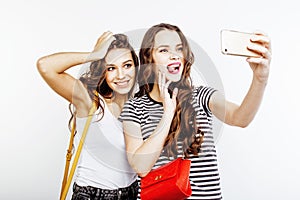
(168, 54)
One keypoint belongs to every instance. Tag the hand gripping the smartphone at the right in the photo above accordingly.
(261, 44)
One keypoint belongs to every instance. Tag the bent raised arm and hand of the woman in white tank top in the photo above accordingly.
(53, 70)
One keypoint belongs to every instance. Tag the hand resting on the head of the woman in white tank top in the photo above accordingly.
(102, 45)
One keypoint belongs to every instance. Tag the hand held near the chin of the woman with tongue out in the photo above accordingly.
(168, 102)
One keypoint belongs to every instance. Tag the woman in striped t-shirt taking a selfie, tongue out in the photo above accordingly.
(170, 118)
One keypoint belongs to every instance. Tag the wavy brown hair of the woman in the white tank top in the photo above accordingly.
(94, 78)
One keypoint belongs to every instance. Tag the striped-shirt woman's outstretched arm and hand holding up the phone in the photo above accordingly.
(242, 115)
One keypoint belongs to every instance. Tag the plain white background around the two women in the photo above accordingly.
(258, 162)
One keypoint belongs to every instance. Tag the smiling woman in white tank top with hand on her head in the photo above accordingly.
(109, 82)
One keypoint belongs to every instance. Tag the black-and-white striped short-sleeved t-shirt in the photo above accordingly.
(204, 175)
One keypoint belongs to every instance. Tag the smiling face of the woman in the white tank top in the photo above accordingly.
(120, 70)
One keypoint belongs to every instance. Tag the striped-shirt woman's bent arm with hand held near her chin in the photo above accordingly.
(143, 154)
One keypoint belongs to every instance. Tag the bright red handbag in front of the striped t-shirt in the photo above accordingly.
(170, 181)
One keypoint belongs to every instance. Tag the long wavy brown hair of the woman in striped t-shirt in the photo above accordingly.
(183, 125)
